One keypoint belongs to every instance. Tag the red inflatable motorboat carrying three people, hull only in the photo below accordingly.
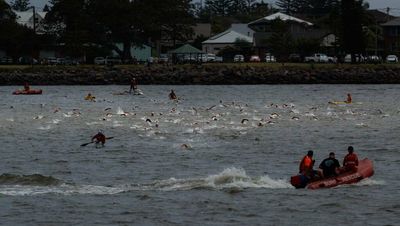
(365, 169)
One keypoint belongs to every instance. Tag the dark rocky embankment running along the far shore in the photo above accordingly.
(207, 74)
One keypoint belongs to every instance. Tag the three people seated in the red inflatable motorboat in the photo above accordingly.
(329, 167)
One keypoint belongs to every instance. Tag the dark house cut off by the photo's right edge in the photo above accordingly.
(391, 33)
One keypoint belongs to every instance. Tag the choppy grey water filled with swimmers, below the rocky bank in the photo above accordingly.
(243, 144)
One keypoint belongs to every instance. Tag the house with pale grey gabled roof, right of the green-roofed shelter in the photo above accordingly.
(228, 38)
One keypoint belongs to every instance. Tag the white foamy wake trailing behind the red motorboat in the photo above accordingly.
(230, 180)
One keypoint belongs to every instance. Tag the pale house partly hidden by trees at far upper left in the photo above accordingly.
(26, 19)
